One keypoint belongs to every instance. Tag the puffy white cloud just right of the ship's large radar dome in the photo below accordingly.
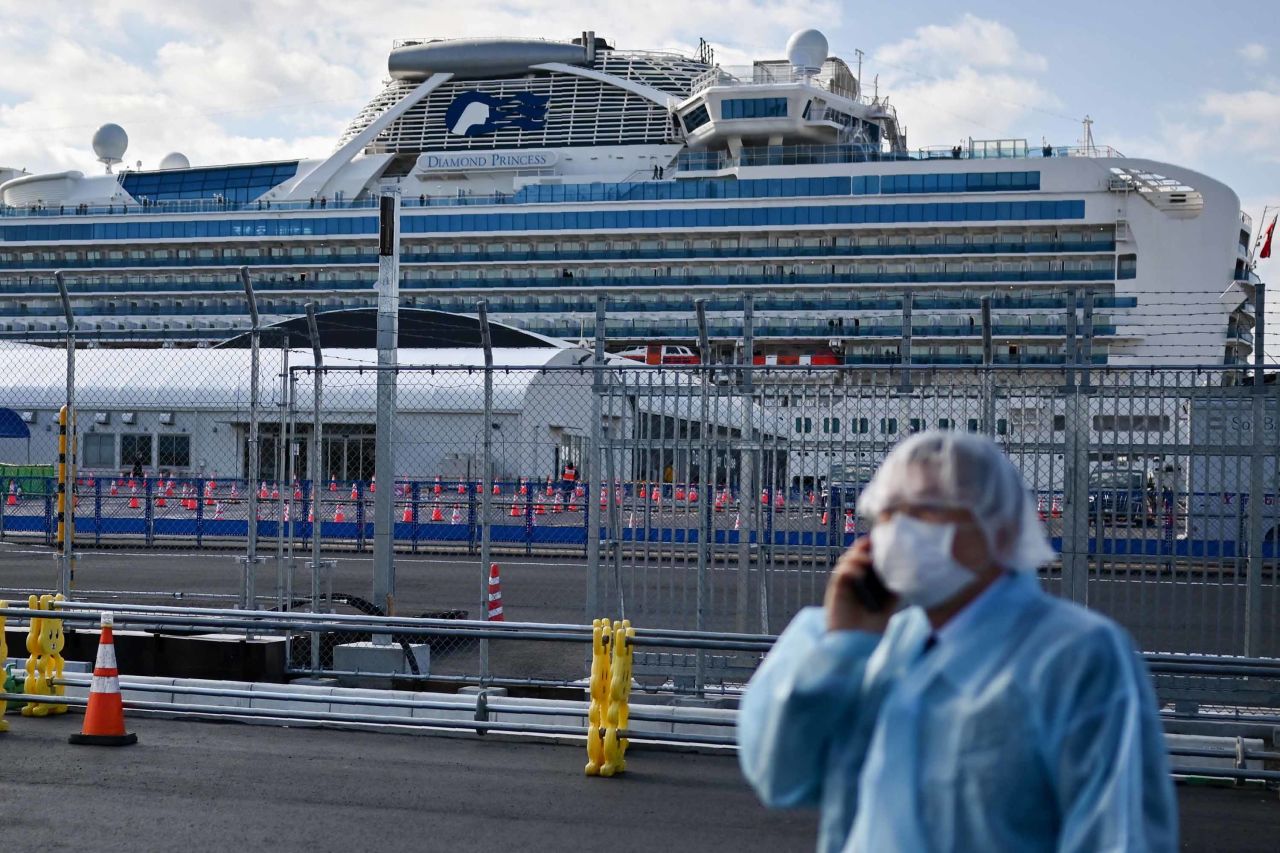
(972, 79)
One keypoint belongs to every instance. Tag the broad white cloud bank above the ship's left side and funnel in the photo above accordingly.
(243, 80)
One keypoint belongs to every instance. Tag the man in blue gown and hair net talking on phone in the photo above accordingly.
(985, 714)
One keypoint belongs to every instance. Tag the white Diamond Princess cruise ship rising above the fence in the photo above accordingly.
(541, 175)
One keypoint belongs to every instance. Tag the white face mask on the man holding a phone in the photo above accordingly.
(915, 560)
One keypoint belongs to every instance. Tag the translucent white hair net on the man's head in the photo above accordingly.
(953, 471)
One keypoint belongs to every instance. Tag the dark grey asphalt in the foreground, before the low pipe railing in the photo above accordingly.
(205, 787)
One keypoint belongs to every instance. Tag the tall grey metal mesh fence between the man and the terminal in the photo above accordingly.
(702, 498)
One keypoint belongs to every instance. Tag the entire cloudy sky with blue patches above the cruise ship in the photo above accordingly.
(228, 81)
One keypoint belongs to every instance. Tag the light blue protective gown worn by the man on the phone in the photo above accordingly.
(1031, 727)
